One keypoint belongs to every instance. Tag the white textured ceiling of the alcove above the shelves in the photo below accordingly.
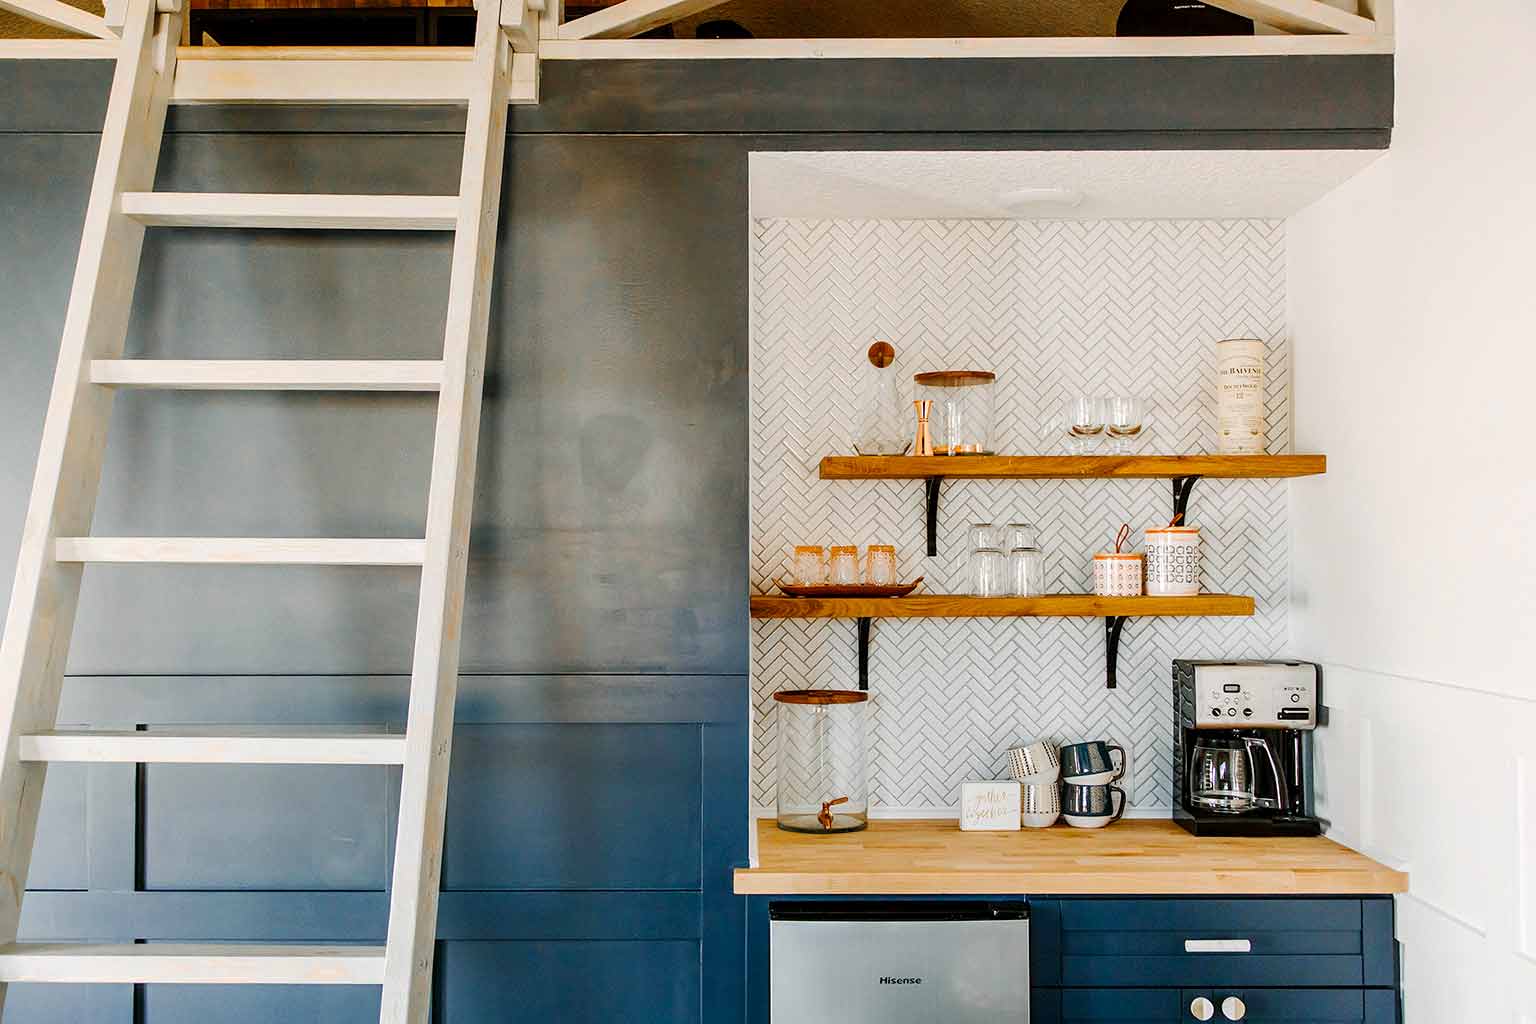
(1144, 185)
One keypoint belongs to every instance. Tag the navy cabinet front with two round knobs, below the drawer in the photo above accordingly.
(1173, 1006)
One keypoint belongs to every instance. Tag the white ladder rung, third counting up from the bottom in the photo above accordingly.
(240, 550)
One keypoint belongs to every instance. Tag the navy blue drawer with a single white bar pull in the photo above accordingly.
(1179, 943)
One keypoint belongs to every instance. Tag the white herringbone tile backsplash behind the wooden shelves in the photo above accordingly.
(1054, 308)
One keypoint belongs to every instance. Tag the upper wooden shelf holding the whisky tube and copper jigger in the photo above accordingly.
(1056, 467)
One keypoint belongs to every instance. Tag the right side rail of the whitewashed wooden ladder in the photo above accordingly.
(429, 730)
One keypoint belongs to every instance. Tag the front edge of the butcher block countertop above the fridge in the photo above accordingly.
(758, 882)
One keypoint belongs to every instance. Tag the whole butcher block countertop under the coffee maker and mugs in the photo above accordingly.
(1130, 857)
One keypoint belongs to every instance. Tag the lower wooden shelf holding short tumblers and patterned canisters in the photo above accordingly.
(965, 607)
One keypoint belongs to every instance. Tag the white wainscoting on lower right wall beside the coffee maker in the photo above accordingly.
(1435, 781)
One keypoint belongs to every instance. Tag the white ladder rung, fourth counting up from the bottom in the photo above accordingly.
(271, 375)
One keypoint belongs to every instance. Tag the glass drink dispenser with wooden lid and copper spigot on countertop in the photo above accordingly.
(823, 776)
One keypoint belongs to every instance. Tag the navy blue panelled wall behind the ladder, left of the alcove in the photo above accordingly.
(600, 785)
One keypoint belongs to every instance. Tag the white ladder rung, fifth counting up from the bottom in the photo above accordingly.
(234, 210)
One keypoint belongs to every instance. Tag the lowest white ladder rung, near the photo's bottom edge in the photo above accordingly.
(193, 965)
